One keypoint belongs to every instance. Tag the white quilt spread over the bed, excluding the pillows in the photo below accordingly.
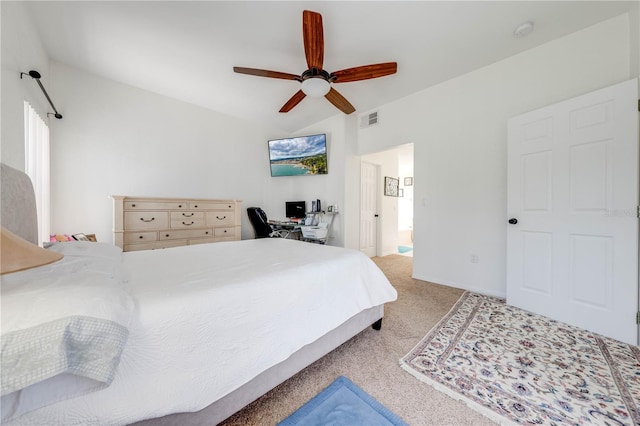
(209, 318)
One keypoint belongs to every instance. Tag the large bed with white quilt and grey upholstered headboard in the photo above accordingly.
(187, 331)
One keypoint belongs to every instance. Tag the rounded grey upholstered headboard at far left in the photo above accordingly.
(18, 204)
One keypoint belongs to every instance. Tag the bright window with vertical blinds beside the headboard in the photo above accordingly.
(36, 135)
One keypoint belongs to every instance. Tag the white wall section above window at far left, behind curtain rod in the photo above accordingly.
(22, 51)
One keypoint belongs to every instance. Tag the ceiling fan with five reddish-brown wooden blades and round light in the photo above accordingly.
(316, 81)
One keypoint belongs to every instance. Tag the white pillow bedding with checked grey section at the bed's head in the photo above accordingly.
(64, 327)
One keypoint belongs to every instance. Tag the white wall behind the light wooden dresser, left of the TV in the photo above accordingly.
(119, 140)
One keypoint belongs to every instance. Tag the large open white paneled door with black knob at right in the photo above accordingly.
(572, 239)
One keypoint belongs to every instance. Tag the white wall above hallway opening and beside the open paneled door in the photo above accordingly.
(459, 133)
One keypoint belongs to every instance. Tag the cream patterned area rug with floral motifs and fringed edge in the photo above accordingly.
(517, 367)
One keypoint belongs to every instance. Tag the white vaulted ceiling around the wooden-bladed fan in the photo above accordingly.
(187, 50)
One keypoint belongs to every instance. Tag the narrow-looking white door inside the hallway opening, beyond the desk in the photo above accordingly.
(368, 209)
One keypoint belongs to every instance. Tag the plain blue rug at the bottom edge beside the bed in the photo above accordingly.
(342, 403)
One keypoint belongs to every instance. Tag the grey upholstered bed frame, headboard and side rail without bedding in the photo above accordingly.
(18, 213)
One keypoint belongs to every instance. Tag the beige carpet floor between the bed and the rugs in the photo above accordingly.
(370, 360)
